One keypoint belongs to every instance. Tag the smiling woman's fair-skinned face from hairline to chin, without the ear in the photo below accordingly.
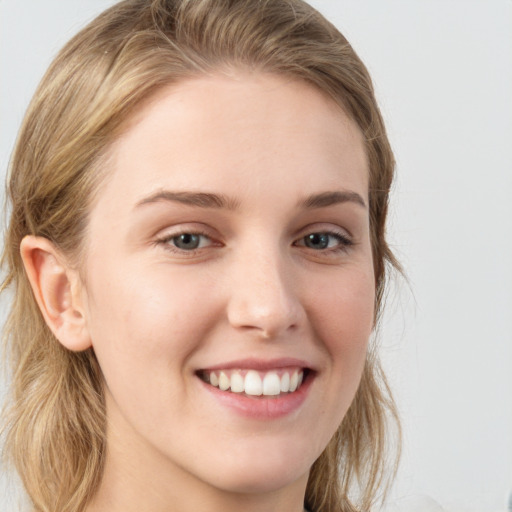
(229, 248)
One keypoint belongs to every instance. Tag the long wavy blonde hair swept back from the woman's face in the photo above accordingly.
(54, 426)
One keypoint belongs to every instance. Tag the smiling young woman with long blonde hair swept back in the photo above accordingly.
(197, 251)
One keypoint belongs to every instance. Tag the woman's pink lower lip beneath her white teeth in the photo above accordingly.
(262, 407)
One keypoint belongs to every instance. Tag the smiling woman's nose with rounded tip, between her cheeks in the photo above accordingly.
(263, 299)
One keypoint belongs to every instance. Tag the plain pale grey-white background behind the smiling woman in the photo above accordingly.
(443, 75)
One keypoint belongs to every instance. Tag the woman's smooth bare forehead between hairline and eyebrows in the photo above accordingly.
(216, 131)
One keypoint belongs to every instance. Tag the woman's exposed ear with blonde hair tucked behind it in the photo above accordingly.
(57, 289)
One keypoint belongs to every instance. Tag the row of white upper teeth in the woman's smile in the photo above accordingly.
(255, 383)
